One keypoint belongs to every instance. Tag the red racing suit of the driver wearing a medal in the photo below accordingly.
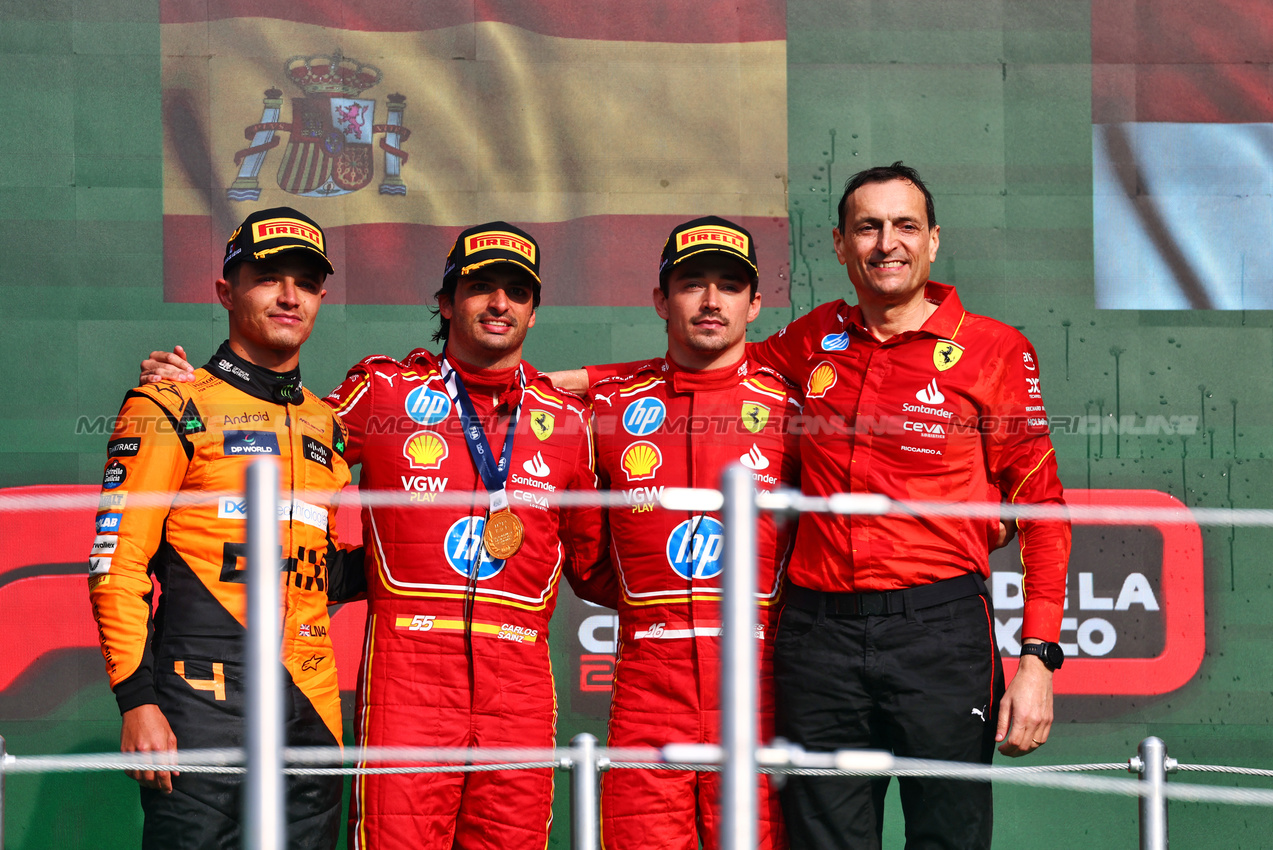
(450, 662)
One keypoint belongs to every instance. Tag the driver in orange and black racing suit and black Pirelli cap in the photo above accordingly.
(179, 676)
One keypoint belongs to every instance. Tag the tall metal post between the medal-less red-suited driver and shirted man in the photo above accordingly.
(740, 660)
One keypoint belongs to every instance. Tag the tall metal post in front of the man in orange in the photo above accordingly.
(267, 826)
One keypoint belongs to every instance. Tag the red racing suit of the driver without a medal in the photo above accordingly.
(665, 427)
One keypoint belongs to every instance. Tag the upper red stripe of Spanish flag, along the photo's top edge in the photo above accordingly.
(651, 21)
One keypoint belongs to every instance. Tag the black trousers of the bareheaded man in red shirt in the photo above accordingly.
(924, 684)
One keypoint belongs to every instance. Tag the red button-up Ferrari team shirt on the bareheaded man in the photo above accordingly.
(953, 413)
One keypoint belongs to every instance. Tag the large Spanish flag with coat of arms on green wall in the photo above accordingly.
(397, 124)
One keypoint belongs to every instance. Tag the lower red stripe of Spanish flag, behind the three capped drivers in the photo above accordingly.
(601, 261)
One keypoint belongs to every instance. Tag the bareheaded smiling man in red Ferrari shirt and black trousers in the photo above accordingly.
(887, 639)
